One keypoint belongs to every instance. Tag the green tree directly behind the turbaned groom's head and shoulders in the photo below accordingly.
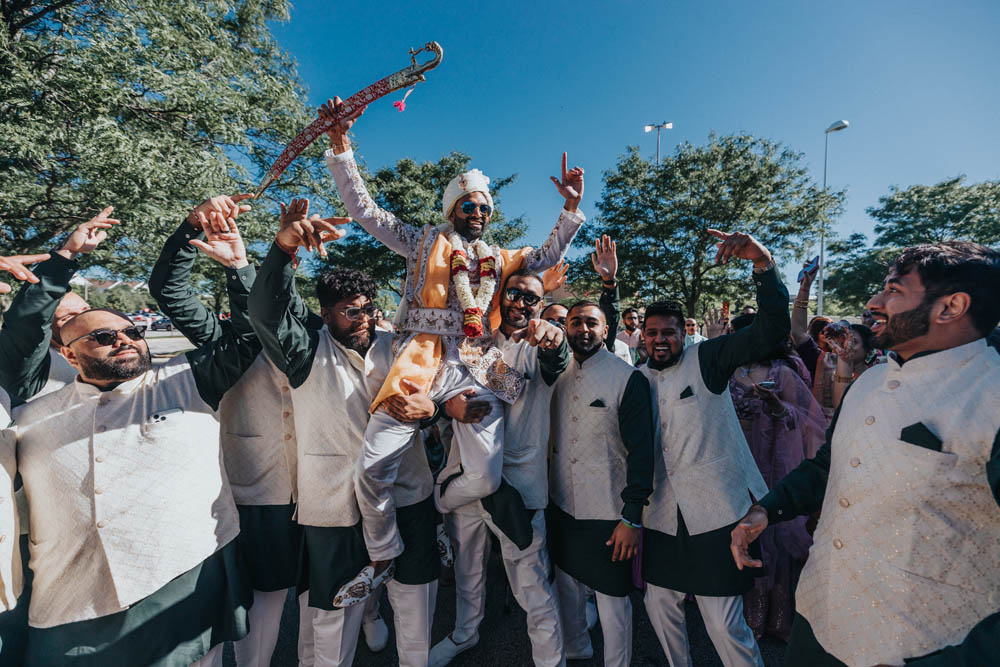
(412, 192)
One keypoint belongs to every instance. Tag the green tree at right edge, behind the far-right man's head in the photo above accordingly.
(949, 210)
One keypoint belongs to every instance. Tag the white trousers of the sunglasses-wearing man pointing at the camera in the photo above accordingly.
(527, 572)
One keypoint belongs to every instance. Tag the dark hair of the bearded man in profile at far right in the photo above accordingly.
(958, 266)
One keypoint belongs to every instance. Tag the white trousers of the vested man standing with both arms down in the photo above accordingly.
(616, 621)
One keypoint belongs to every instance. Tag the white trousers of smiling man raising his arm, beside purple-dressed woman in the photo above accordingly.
(724, 622)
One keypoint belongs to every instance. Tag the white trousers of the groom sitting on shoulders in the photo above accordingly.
(478, 461)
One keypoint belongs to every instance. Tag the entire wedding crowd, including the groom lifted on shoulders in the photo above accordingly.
(833, 485)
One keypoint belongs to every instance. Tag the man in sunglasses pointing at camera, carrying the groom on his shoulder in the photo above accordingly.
(515, 512)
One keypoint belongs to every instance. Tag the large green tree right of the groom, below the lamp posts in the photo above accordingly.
(659, 217)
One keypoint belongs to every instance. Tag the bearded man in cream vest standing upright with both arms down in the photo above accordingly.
(601, 475)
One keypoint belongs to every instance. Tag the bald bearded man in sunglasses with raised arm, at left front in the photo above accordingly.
(132, 519)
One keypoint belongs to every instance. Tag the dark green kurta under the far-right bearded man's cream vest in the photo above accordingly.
(802, 492)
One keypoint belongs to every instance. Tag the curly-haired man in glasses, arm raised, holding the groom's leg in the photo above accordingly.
(331, 374)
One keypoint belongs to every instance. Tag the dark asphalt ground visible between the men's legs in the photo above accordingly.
(503, 637)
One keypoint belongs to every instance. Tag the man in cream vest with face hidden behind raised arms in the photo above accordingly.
(257, 427)
